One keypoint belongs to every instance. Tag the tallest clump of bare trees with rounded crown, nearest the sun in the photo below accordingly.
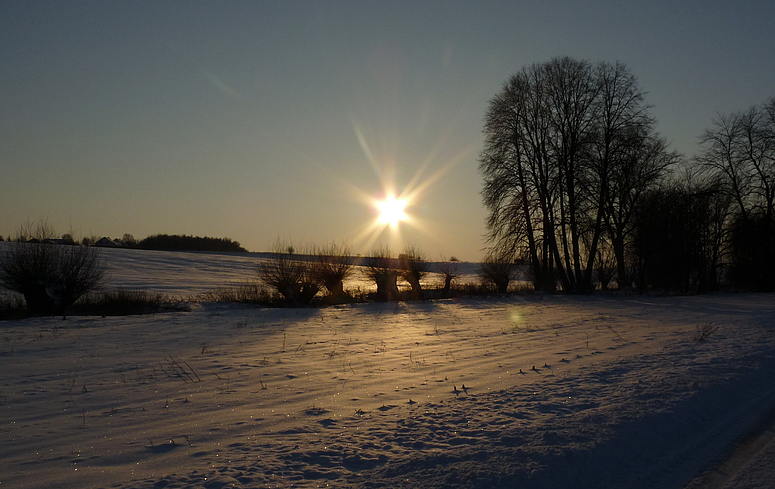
(554, 137)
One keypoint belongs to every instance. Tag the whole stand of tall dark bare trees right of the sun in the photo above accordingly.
(579, 184)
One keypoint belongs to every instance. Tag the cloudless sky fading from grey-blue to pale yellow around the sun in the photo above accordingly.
(252, 119)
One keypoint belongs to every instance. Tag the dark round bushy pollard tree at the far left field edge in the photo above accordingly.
(50, 277)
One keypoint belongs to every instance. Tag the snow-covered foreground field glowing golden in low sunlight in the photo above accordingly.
(528, 392)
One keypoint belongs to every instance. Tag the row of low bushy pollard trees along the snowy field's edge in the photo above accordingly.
(52, 278)
